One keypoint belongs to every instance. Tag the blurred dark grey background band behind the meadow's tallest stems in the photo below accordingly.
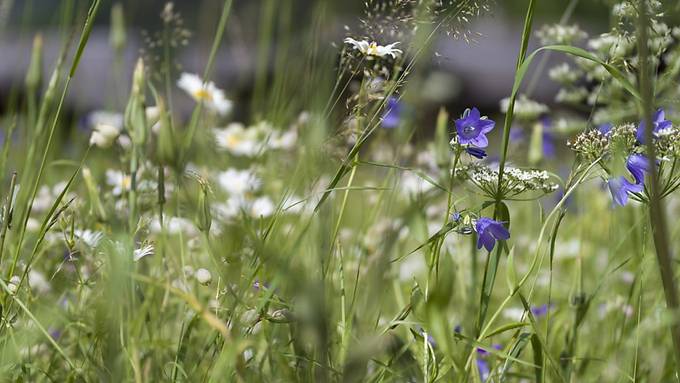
(477, 73)
